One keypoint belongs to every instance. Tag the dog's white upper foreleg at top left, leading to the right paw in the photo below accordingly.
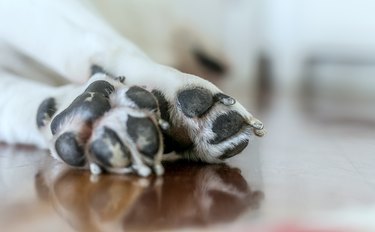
(65, 36)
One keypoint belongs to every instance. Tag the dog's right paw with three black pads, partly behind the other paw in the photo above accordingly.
(205, 124)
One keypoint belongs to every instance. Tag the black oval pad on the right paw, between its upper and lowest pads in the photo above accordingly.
(227, 125)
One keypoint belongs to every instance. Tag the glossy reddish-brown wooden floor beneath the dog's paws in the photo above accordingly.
(305, 175)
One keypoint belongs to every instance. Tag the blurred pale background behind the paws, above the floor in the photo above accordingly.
(324, 49)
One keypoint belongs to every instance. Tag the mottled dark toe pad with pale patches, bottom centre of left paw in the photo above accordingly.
(109, 150)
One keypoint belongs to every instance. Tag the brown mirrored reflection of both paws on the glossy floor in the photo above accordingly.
(188, 195)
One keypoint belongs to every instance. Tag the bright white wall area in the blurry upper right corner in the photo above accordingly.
(293, 29)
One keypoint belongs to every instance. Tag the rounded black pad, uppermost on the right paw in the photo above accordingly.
(195, 102)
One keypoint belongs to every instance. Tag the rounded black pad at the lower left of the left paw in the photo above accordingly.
(69, 150)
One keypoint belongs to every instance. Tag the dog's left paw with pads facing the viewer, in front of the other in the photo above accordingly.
(107, 125)
